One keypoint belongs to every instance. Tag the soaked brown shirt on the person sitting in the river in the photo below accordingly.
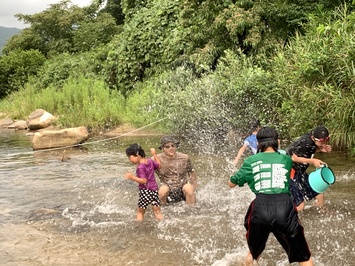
(174, 171)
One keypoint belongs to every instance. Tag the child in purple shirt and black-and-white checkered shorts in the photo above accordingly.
(148, 187)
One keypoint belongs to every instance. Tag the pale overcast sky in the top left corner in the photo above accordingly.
(8, 8)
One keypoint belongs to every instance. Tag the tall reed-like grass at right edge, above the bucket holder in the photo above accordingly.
(316, 74)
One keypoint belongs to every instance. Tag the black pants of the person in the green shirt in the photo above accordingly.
(275, 214)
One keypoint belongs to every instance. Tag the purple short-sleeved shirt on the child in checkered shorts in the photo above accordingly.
(147, 171)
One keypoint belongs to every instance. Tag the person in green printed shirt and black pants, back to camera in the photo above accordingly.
(267, 174)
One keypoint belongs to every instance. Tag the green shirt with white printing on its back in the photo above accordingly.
(265, 172)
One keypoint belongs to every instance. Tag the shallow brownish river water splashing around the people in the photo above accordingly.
(73, 207)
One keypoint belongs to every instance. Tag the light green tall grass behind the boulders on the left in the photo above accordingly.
(80, 101)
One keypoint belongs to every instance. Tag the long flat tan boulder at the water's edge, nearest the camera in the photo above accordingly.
(68, 137)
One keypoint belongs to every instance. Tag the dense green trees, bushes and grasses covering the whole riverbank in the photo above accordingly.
(207, 66)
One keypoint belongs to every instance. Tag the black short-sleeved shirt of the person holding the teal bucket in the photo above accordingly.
(303, 147)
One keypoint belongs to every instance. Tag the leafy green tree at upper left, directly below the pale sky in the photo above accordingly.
(64, 28)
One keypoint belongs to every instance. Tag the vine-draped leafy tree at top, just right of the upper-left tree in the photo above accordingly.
(150, 39)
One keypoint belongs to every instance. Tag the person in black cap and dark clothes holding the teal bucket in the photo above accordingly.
(302, 152)
